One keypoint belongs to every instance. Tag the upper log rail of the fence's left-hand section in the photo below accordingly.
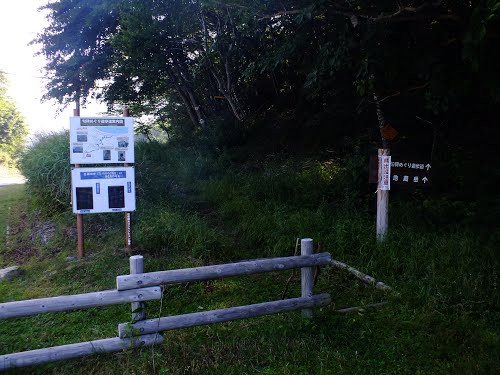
(77, 302)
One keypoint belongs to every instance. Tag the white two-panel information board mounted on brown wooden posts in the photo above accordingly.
(102, 140)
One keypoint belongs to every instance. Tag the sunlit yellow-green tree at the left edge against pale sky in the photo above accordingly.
(13, 129)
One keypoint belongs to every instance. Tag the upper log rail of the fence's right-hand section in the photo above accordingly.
(142, 280)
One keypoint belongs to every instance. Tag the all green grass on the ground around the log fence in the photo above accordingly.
(445, 321)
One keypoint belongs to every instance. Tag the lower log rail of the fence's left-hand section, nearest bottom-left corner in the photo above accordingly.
(82, 349)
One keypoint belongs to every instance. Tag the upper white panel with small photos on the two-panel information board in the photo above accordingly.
(101, 140)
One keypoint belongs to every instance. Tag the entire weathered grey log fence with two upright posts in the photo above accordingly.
(139, 287)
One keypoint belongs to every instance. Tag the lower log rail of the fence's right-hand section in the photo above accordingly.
(221, 315)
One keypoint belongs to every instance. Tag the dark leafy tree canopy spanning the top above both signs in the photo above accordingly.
(291, 72)
